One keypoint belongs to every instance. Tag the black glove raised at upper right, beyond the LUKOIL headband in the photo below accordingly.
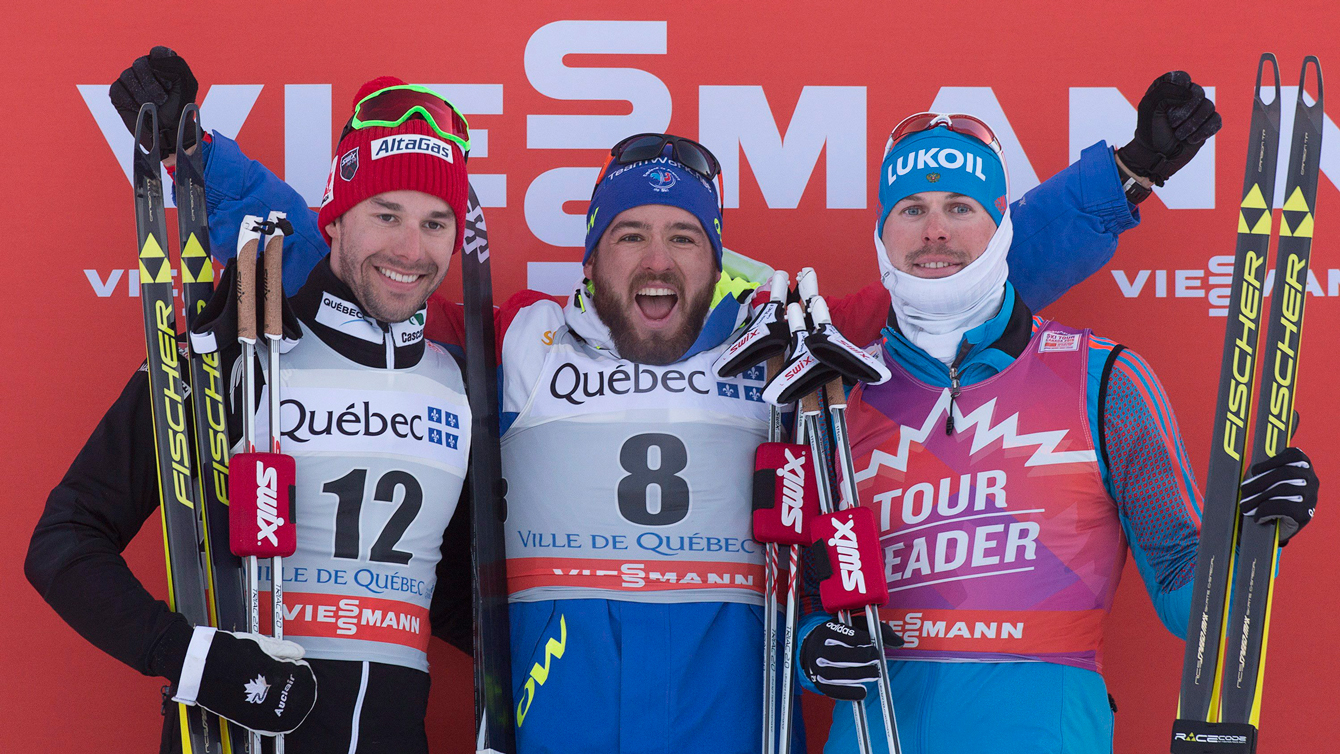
(1175, 121)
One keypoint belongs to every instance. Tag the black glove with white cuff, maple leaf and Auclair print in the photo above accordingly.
(258, 682)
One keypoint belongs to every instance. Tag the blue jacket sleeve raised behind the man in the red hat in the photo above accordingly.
(237, 187)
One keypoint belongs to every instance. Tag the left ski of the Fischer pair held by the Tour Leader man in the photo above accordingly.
(1220, 519)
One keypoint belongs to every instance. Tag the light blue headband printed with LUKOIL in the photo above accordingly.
(940, 160)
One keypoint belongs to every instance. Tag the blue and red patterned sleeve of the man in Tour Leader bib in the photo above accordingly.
(1149, 475)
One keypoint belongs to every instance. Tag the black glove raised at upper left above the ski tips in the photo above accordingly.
(164, 78)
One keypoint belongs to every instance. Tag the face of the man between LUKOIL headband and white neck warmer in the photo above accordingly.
(936, 234)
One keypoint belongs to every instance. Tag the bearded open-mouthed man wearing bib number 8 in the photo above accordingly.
(636, 586)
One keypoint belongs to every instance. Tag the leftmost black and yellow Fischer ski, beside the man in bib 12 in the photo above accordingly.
(167, 388)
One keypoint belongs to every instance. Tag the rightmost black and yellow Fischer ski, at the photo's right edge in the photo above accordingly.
(1259, 550)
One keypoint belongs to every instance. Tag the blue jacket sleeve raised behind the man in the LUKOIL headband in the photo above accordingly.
(1066, 228)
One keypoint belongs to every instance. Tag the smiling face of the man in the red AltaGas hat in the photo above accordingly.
(393, 251)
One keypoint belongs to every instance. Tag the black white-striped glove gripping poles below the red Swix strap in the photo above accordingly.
(841, 660)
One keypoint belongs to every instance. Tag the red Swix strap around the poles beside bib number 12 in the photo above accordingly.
(261, 492)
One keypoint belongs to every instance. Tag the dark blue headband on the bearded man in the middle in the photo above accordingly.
(656, 181)
